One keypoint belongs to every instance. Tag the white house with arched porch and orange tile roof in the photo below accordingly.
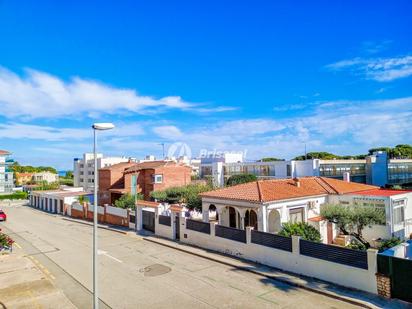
(267, 204)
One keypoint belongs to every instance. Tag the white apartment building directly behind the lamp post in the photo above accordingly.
(83, 169)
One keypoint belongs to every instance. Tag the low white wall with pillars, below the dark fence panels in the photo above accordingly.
(290, 261)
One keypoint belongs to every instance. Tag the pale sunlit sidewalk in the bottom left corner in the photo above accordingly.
(25, 283)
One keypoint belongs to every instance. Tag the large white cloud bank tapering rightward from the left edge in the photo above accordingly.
(42, 95)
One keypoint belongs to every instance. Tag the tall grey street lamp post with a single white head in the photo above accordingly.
(96, 127)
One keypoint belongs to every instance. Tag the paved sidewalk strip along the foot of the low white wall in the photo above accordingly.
(355, 297)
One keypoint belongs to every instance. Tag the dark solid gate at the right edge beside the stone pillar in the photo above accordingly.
(400, 272)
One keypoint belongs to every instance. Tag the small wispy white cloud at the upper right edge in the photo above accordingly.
(379, 69)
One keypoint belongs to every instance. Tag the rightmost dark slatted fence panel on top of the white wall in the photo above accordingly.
(350, 257)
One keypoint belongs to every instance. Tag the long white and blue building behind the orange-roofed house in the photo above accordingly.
(376, 169)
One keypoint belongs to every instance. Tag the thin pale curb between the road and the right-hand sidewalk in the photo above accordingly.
(352, 301)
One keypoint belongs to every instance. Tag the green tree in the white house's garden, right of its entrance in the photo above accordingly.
(352, 219)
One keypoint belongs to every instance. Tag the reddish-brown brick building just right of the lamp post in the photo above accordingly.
(145, 177)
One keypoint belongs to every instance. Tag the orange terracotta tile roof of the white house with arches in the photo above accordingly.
(284, 189)
